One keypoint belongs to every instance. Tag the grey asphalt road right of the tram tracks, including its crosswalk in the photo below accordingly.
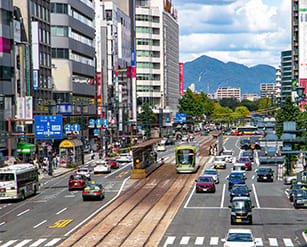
(204, 218)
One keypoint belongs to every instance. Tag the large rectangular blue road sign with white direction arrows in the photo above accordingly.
(48, 127)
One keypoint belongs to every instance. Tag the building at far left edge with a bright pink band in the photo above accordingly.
(7, 89)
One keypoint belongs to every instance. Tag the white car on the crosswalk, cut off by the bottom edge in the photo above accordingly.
(239, 238)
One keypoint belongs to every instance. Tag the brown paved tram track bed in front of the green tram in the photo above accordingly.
(135, 217)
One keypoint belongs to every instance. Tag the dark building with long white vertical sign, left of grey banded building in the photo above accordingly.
(35, 49)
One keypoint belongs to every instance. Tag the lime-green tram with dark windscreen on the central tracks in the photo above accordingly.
(187, 158)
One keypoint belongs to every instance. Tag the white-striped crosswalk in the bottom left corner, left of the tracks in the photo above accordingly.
(42, 242)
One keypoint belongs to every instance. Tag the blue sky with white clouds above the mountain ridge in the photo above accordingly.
(248, 32)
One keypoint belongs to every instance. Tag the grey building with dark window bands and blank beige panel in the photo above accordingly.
(73, 53)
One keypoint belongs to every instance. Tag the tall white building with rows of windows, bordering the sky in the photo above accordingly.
(157, 56)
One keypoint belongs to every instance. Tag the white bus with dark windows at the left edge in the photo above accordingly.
(18, 181)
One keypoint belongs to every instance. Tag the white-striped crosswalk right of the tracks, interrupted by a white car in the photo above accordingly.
(216, 241)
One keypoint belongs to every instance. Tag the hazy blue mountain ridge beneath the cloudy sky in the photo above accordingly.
(204, 70)
